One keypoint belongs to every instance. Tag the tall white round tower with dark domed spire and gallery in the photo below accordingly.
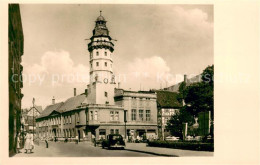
(102, 81)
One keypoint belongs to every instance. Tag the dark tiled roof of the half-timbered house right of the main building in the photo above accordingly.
(167, 99)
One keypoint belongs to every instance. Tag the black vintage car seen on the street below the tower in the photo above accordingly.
(113, 141)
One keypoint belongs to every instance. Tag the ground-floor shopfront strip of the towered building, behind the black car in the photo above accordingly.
(98, 132)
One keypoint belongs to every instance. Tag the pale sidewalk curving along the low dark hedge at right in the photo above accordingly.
(141, 147)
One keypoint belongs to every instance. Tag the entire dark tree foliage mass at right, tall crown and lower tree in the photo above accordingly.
(198, 97)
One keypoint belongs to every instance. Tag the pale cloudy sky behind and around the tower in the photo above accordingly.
(156, 45)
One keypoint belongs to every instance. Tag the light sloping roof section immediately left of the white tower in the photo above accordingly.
(73, 103)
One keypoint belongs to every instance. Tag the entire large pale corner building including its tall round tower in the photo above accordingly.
(101, 109)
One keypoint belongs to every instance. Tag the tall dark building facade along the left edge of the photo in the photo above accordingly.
(15, 49)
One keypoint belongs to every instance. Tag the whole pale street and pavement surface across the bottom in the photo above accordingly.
(87, 149)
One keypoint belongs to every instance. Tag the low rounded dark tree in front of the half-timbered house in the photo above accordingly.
(175, 124)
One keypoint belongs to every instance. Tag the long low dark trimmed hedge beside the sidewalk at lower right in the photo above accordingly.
(183, 145)
